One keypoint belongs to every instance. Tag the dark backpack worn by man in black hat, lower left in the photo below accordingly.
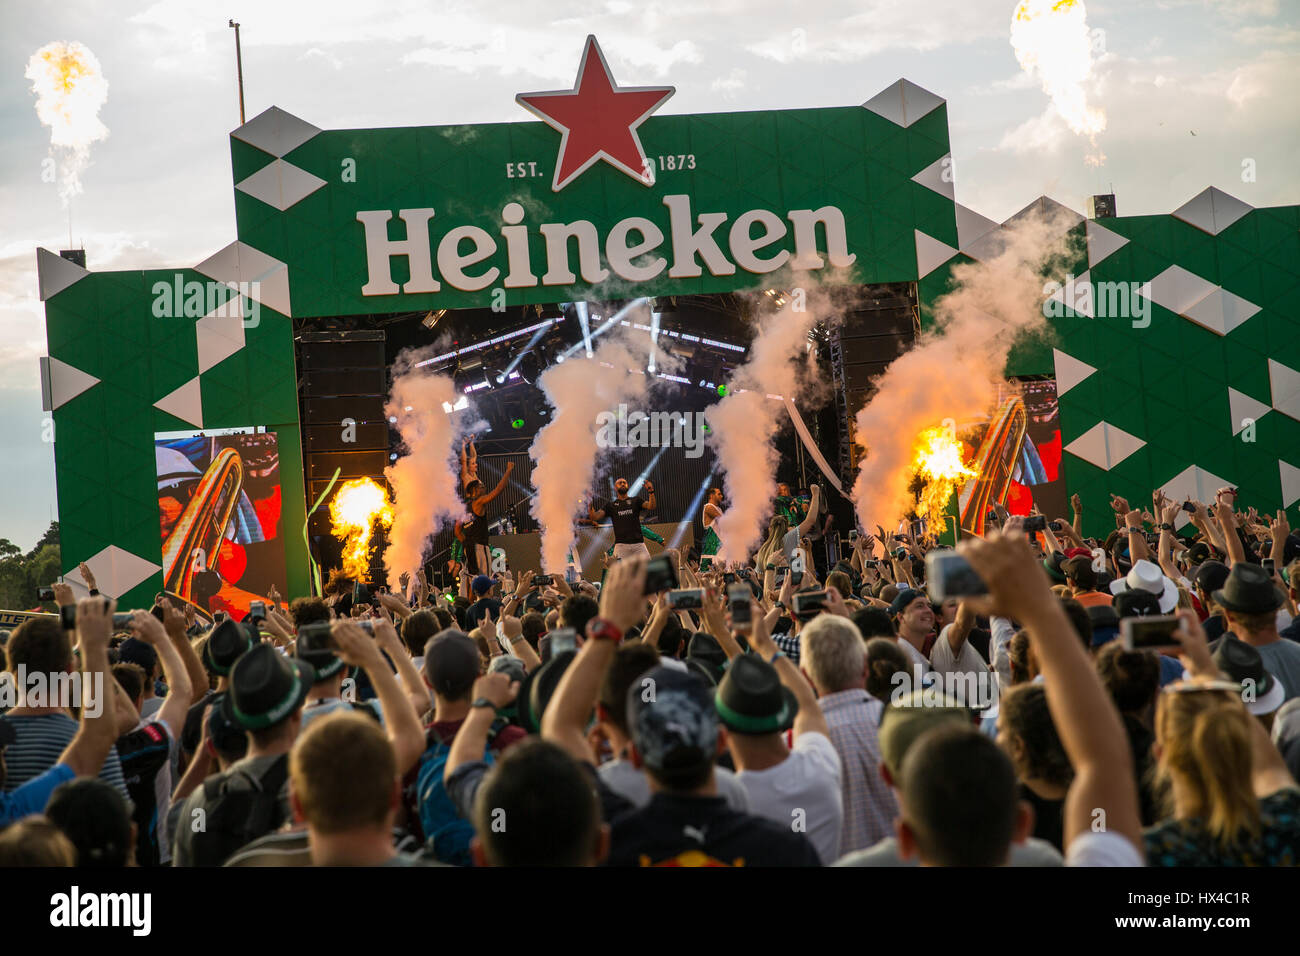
(240, 810)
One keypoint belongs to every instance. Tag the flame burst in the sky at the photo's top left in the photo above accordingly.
(71, 89)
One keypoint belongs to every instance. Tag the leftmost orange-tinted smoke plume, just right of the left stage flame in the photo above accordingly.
(426, 481)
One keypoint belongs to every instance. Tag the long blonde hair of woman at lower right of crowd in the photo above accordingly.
(1206, 747)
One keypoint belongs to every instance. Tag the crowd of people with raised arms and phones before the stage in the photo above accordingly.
(788, 711)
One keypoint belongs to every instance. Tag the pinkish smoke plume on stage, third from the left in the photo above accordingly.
(744, 425)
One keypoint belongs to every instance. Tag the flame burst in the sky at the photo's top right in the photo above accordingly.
(1052, 42)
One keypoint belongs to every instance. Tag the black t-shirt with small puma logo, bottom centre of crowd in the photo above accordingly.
(704, 832)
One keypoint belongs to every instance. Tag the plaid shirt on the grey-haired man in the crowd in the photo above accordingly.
(870, 807)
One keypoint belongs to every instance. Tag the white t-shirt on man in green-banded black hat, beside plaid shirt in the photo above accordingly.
(803, 793)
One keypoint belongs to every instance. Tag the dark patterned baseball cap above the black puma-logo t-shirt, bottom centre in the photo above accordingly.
(674, 729)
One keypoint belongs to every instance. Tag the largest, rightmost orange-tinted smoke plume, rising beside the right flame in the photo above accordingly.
(955, 370)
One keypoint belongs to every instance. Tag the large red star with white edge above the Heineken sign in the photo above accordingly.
(597, 119)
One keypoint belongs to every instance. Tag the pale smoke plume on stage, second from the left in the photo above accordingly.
(566, 449)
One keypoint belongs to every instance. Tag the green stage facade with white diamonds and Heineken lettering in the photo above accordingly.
(405, 220)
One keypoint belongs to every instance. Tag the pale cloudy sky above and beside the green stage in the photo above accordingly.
(1190, 89)
